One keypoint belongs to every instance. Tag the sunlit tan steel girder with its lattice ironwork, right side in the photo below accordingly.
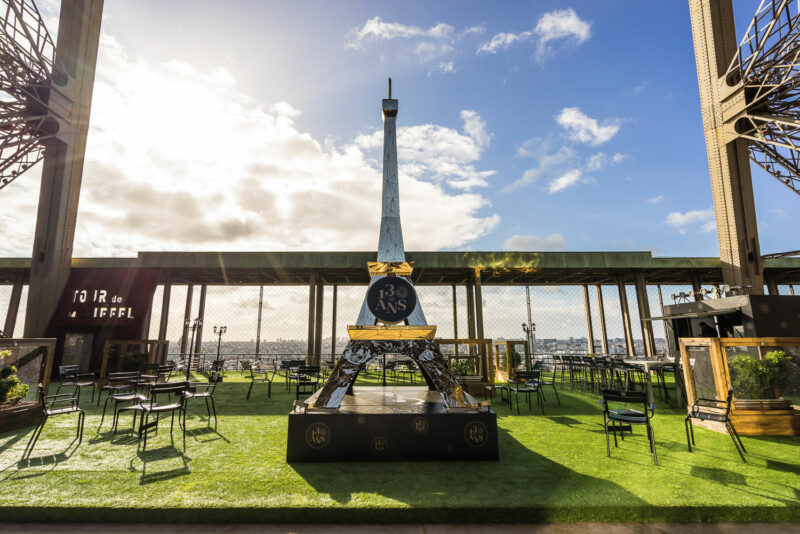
(749, 102)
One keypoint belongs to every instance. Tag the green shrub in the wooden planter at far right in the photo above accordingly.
(761, 379)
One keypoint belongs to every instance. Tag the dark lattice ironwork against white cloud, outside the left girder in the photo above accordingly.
(27, 59)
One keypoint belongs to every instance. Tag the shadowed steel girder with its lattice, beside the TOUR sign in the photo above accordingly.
(45, 100)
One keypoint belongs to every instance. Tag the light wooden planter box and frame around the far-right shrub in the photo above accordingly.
(751, 417)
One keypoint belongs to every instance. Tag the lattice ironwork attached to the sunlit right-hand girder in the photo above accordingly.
(767, 68)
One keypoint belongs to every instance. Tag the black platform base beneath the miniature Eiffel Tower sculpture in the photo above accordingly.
(391, 424)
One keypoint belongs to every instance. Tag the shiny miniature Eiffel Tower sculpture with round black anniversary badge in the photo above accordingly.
(391, 300)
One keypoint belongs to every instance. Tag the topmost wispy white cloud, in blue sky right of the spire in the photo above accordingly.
(560, 24)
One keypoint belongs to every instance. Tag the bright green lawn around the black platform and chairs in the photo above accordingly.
(551, 468)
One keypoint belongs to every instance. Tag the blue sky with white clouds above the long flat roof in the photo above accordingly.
(583, 133)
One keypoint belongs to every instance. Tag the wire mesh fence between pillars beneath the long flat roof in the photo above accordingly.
(283, 326)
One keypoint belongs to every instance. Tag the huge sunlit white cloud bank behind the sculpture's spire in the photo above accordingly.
(160, 175)
